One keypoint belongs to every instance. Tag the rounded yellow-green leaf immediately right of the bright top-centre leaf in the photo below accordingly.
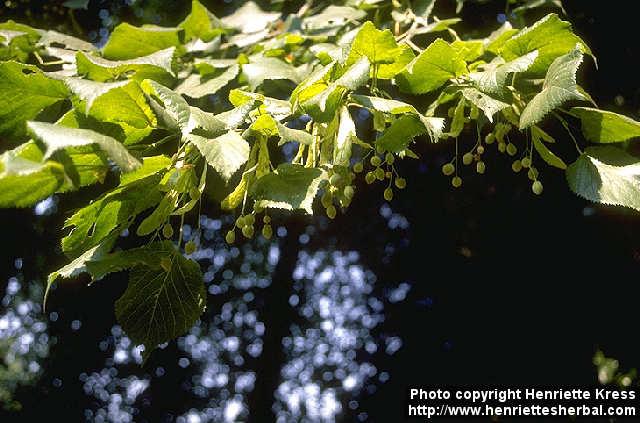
(438, 63)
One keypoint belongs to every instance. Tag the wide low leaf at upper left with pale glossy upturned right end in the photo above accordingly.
(156, 66)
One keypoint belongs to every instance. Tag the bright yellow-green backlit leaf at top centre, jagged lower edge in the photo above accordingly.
(380, 48)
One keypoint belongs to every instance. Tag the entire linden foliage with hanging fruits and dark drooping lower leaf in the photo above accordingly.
(176, 115)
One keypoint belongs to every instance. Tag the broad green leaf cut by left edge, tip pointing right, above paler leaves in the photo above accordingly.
(25, 93)
